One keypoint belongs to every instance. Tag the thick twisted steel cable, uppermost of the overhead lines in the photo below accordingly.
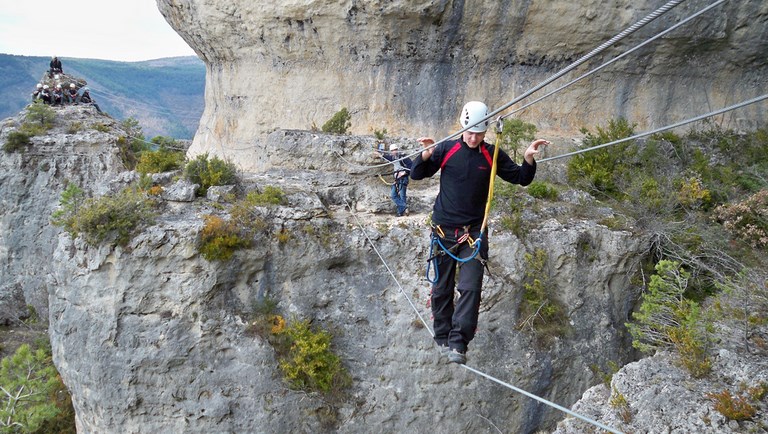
(602, 47)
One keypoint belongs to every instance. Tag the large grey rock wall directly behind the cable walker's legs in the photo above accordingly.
(167, 330)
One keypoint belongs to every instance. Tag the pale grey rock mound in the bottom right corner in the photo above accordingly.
(656, 394)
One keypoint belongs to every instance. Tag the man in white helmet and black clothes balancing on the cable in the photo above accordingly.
(457, 215)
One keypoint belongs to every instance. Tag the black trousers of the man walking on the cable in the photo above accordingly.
(455, 323)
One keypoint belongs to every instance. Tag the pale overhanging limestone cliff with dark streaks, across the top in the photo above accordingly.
(409, 65)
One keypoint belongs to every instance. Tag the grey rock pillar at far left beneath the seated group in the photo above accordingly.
(31, 183)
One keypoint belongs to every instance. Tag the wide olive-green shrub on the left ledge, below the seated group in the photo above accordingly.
(98, 219)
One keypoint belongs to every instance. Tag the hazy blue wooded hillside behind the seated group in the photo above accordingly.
(164, 95)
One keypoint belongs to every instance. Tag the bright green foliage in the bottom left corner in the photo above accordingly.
(34, 398)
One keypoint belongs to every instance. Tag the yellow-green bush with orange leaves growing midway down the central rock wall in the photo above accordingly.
(308, 362)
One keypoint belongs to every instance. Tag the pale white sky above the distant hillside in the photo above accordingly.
(121, 30)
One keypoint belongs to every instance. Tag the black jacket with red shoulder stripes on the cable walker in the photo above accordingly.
(465, 178)
